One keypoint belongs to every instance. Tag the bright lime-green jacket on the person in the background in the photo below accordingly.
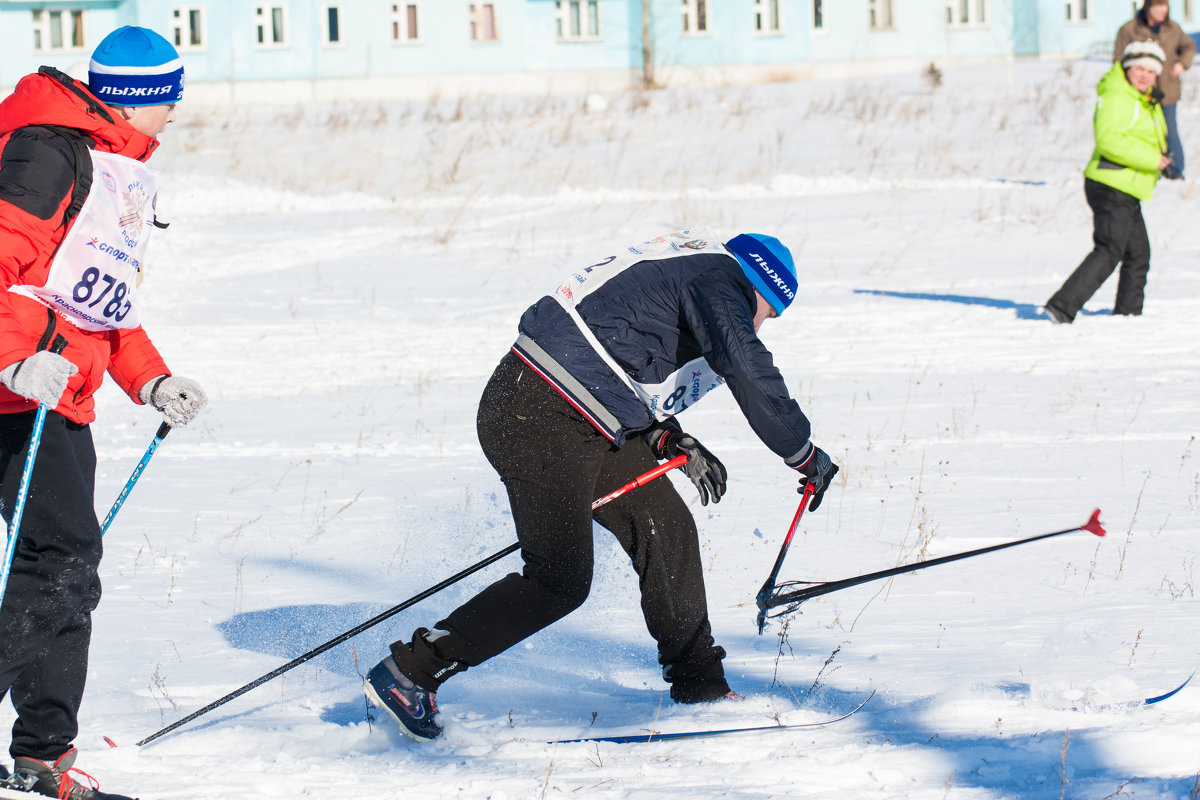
(1131, 137)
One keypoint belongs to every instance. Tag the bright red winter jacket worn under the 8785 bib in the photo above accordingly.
(37, 182)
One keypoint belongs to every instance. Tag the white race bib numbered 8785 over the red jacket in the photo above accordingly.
(95, 270)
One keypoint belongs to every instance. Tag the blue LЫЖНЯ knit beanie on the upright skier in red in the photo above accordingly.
(136, 67)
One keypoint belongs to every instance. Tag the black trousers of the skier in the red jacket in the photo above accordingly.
(53, 588)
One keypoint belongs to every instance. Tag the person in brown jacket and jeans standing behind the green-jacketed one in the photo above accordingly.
(1155, 23)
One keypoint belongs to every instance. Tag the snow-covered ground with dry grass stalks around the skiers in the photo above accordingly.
(344, 279)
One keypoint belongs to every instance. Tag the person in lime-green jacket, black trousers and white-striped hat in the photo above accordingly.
(1130, 157)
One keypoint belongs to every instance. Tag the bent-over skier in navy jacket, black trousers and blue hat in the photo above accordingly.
(584, 404)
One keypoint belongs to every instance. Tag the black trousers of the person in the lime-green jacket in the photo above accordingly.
(1120, 238)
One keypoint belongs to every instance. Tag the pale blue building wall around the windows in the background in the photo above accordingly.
(529, 45)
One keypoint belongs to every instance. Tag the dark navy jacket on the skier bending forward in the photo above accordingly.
(655, 318)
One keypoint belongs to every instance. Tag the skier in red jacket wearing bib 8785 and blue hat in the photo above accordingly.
(76, 213)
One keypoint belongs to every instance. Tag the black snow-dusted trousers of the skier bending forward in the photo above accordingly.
(554, 465)
